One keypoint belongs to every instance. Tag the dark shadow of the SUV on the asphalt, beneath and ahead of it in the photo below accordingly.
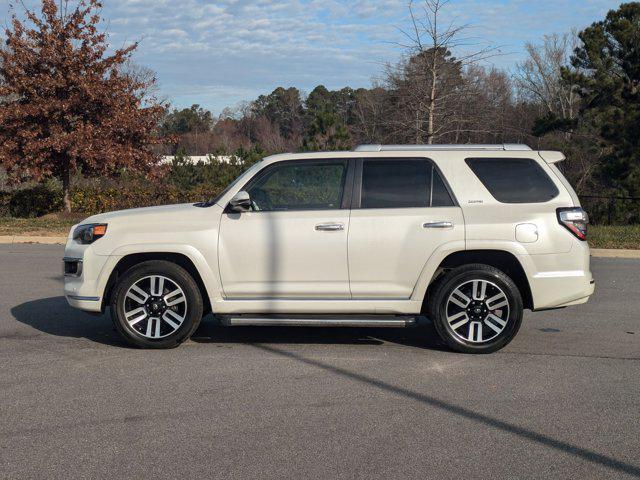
(54, 316)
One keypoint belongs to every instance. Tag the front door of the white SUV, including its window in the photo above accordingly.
(293, 242)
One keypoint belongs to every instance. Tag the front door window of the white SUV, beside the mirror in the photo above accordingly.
(300, 186)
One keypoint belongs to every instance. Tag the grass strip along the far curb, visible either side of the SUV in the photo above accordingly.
(600, 236)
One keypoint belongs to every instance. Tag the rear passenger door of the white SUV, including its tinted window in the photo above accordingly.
(403, 210)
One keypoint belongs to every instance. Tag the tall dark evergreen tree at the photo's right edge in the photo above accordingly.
(608, 80)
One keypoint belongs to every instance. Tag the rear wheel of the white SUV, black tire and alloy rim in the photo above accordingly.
(464, 338)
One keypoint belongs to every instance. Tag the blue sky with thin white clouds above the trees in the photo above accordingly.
(217, 54)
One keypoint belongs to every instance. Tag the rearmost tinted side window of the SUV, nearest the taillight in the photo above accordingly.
(514, 180)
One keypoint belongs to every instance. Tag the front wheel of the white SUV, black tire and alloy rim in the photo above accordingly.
(156, 304)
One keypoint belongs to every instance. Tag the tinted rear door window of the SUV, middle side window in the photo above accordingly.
(402, 183)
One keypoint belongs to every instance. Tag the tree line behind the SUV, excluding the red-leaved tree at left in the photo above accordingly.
(577, 92)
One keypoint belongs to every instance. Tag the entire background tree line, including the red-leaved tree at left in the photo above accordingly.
(67, 107)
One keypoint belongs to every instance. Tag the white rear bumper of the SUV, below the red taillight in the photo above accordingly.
(560, 280)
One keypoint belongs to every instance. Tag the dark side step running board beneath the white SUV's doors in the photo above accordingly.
(320, 321)
